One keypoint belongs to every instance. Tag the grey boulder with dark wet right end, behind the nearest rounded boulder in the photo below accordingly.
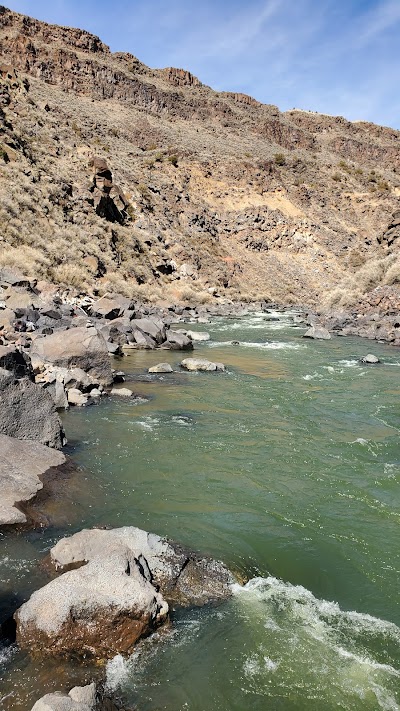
(182, 576)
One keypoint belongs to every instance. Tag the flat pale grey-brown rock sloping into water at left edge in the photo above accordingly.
(22, 464)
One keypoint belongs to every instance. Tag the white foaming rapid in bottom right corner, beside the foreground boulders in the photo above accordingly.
(278, 647)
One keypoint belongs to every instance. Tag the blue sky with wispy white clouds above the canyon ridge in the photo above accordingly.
(340, 57)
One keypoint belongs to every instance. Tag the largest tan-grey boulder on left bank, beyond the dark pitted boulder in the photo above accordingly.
(80, 347)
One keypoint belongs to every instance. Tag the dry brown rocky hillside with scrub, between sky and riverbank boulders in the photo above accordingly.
(118, 177)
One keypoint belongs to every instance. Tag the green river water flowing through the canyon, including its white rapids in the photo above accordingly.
(287, 468)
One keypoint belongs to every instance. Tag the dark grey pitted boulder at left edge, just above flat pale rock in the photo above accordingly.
(28, 412)
